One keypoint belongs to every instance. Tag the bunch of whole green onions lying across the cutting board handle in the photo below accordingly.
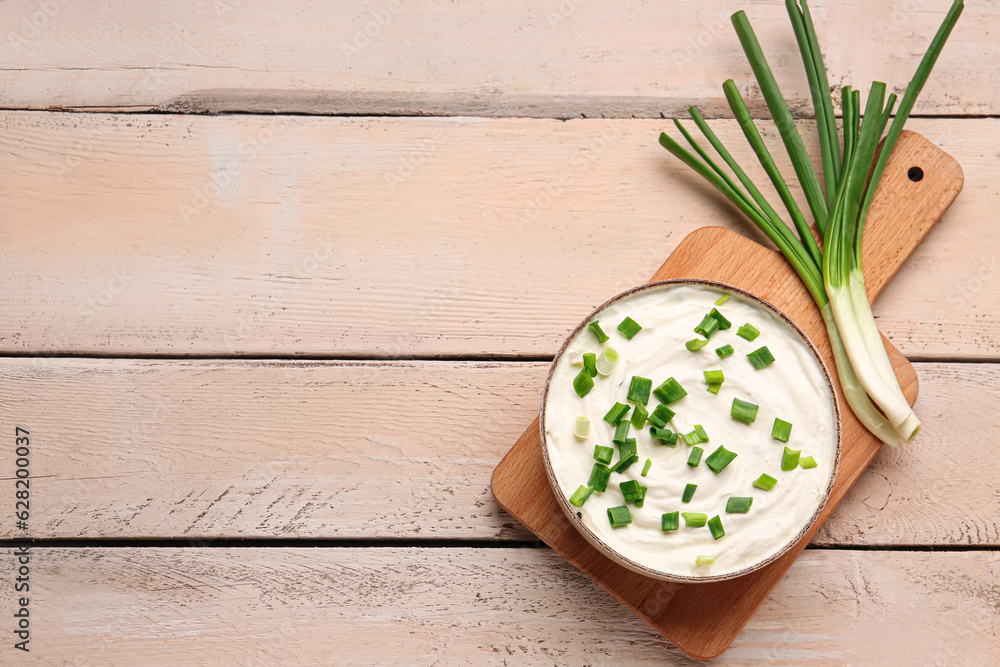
(833, 275)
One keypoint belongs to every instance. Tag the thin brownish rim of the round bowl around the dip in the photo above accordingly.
(592, 537)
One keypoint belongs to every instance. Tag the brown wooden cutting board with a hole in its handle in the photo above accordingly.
(919, 185)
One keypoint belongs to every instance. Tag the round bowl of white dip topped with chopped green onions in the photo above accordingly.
(670, 472)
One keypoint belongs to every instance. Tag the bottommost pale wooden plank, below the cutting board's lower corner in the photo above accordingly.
(476, 606)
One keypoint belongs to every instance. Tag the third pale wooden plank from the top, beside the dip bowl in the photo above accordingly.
(204, 449)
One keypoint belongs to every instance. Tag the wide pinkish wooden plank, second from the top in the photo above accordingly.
(394, 238)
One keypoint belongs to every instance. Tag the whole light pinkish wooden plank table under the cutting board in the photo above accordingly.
(280, 281)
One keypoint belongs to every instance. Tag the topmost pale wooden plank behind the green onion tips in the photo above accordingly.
(561, 59)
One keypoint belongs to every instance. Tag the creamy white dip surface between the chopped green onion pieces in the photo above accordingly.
(793, 388)
